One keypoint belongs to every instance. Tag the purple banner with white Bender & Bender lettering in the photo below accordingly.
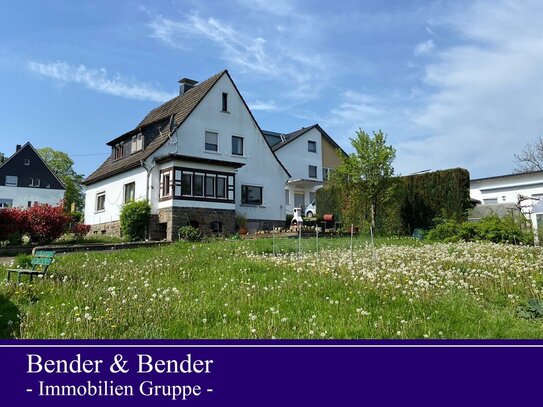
(240, 373)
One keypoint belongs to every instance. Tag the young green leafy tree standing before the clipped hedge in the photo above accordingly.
(366, 175)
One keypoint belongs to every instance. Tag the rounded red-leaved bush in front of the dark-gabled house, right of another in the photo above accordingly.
(46, 223)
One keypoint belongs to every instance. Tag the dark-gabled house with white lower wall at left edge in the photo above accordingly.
(25, 179)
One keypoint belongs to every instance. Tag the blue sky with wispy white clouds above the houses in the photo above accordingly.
(452, 83)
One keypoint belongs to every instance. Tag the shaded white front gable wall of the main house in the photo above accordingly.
(261, 167)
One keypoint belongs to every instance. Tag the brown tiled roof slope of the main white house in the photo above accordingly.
(158, 123)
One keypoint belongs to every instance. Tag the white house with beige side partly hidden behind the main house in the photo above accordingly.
(309, 154)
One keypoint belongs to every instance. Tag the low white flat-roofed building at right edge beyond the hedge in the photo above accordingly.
(506, 189)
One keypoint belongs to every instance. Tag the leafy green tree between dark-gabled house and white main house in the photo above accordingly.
(62, 165)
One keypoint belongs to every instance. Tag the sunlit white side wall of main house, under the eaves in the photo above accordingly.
(114, 189)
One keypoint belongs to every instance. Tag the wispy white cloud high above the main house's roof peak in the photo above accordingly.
(254, 56)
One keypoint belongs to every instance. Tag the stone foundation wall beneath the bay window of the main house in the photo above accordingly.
(173, 218)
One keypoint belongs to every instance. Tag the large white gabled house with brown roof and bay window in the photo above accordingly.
(199, 159)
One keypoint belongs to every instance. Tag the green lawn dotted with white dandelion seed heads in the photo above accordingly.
(271, 288)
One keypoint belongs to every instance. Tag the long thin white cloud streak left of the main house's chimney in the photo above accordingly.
(99, 80)
